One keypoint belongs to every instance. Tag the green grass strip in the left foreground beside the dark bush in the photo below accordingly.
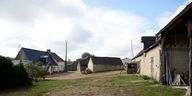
(38, 89)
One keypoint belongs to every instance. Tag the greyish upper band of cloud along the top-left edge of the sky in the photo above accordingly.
(22, 11)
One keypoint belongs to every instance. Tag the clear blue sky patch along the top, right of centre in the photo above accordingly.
(150, 9)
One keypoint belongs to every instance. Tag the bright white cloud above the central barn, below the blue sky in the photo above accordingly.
(114, 30)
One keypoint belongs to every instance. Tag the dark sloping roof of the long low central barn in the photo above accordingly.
(107, 60)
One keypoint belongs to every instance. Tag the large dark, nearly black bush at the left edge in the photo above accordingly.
(12, 76)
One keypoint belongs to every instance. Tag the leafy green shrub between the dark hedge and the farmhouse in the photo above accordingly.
(36, 71)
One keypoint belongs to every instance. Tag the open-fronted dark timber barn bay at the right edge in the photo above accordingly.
(176, 46)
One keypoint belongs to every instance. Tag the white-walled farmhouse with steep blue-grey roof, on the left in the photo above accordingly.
(50, 60)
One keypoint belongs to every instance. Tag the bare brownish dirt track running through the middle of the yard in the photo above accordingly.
(96, 86)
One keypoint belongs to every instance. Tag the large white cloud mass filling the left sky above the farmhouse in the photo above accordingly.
(41, 24)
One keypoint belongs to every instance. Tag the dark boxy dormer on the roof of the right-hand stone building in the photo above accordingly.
(148, 41)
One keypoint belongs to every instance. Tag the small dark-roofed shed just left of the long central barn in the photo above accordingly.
(82, 64)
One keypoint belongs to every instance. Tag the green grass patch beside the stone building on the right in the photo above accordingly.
(146, 87)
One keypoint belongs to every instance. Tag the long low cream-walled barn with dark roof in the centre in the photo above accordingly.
(97, 64)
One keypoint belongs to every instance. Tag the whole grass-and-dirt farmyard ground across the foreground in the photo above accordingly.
(104, 85)
